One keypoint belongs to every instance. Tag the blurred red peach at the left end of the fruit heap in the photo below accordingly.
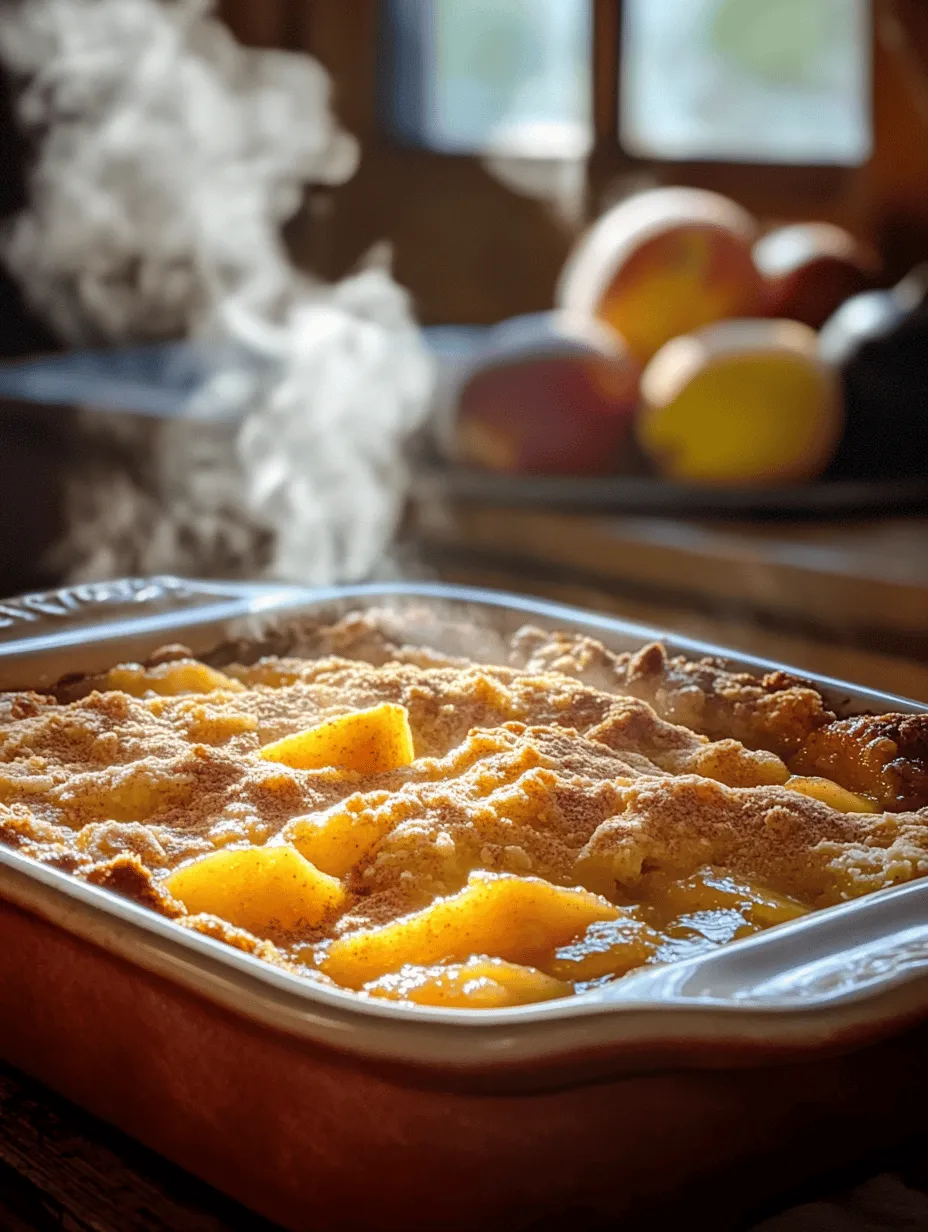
(545, 395)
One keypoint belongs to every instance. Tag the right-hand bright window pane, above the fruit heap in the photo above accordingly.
(747, 81)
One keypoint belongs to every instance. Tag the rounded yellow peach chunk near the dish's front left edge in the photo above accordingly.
(263, 890)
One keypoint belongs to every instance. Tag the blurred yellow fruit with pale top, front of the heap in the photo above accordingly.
(741, 402)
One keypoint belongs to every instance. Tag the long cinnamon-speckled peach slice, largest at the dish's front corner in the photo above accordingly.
(521, 920)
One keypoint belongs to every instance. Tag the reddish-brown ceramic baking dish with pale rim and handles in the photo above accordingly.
(733, 1074)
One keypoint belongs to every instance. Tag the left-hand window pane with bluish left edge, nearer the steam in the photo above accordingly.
(507, 77)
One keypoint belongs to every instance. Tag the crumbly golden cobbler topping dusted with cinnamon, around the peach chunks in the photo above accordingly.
(571, 764)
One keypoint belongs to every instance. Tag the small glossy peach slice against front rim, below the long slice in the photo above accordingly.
(480, 984)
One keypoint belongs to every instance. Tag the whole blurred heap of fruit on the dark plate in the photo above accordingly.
(738, 386)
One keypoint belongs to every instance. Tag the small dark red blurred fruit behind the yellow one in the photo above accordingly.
(810, 269)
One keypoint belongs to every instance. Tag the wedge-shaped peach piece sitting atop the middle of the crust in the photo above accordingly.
(369, 741)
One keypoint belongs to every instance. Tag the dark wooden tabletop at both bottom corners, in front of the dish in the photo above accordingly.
(63, 1171)
